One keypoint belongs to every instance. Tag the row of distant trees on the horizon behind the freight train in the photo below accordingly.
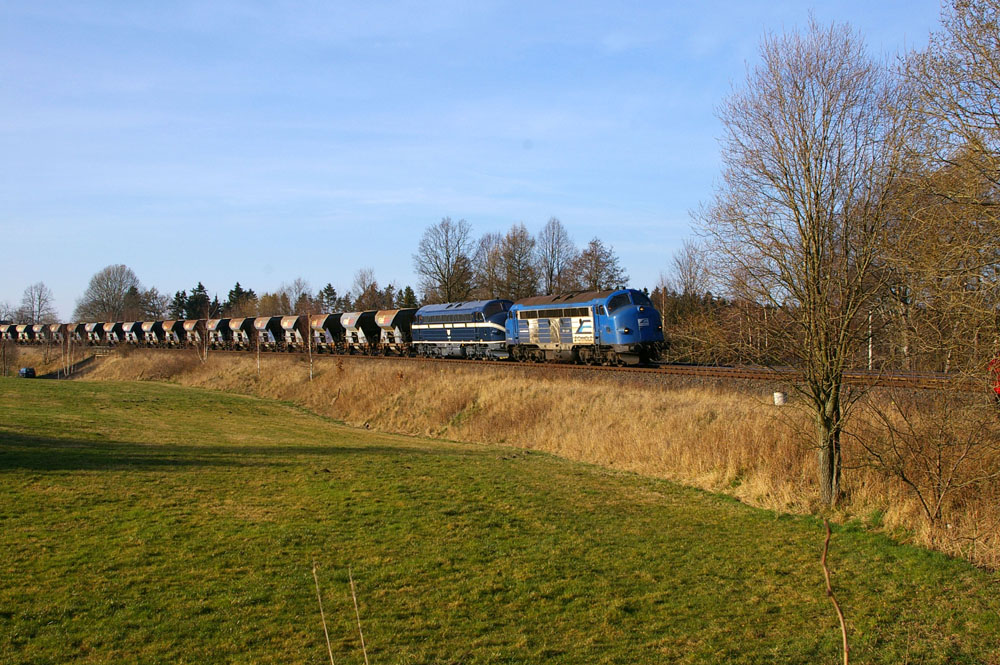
(452, 266)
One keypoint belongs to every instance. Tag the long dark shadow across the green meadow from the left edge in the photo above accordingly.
(21, 451)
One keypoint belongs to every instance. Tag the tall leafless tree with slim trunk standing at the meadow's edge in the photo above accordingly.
(812, 152)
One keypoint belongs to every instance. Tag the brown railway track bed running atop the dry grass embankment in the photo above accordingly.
(915, 380)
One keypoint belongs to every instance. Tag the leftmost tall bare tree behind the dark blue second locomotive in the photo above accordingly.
(443, 263)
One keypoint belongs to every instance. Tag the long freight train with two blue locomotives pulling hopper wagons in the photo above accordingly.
(619, 327)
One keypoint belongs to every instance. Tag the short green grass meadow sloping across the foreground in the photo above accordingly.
(151, 523)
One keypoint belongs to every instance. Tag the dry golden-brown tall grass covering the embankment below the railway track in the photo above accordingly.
(718, 439)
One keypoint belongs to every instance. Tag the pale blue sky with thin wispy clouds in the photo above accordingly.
(264, 141)
